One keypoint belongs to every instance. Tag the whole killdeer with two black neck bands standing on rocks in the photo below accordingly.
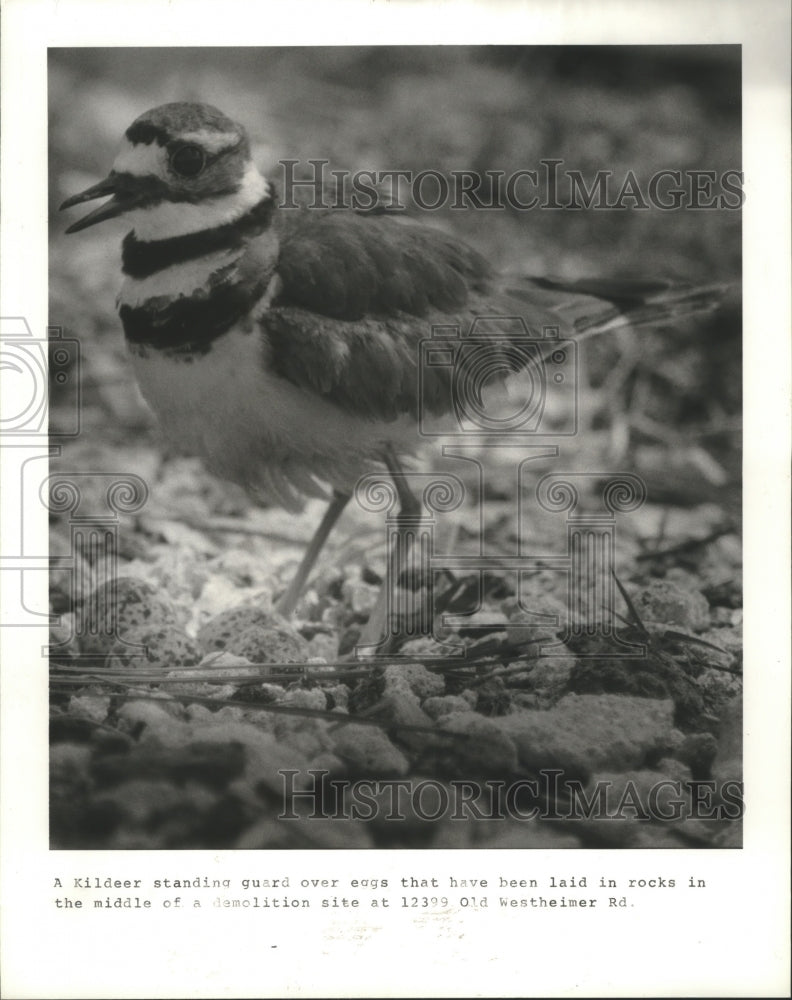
(282, 346)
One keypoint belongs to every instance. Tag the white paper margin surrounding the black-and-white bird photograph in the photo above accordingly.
(733, 944)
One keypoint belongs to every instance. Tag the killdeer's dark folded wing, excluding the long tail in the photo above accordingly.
(361, 293)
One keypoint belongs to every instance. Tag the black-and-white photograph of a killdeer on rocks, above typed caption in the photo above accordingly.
(408, 511)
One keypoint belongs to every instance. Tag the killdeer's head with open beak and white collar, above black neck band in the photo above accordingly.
(182, 168)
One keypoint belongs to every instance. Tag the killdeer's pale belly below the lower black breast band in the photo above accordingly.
(255, 428)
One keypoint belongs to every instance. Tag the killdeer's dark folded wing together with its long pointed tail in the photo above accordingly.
(362, 293)
